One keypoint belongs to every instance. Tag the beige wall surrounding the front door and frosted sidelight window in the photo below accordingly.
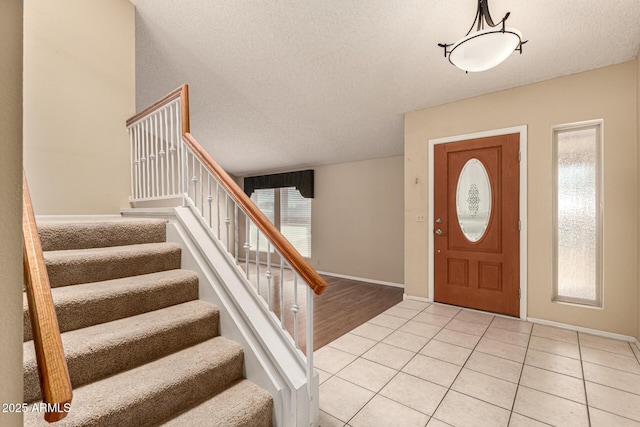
(607, 93)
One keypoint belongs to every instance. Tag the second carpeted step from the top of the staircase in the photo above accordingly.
(76, 266)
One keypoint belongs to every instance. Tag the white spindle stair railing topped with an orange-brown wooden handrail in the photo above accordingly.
(167, 162)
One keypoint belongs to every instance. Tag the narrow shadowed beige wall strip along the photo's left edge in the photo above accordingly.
(11, 208)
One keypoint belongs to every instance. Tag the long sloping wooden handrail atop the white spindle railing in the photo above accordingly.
(296, 261)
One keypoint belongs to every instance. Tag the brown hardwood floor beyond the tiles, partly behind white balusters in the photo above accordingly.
(344, 305)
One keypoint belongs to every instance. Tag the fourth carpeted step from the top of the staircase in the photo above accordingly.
(98, 351)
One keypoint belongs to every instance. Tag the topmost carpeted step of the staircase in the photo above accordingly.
(64, 235)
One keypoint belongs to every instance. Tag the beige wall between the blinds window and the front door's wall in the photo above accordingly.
(357, 219)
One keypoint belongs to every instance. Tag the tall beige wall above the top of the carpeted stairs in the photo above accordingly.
(79, 88)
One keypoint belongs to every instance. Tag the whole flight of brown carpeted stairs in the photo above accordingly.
(142, 350)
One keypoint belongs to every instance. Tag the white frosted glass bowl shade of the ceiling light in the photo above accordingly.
(484, 49)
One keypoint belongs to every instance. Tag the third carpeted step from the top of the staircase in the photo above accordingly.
(80, 306)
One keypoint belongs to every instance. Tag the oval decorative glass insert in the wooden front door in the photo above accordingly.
(473, 200)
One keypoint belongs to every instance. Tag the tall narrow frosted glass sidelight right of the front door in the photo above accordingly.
(577, 215)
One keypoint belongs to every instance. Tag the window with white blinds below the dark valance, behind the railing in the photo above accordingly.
(289, 212)
